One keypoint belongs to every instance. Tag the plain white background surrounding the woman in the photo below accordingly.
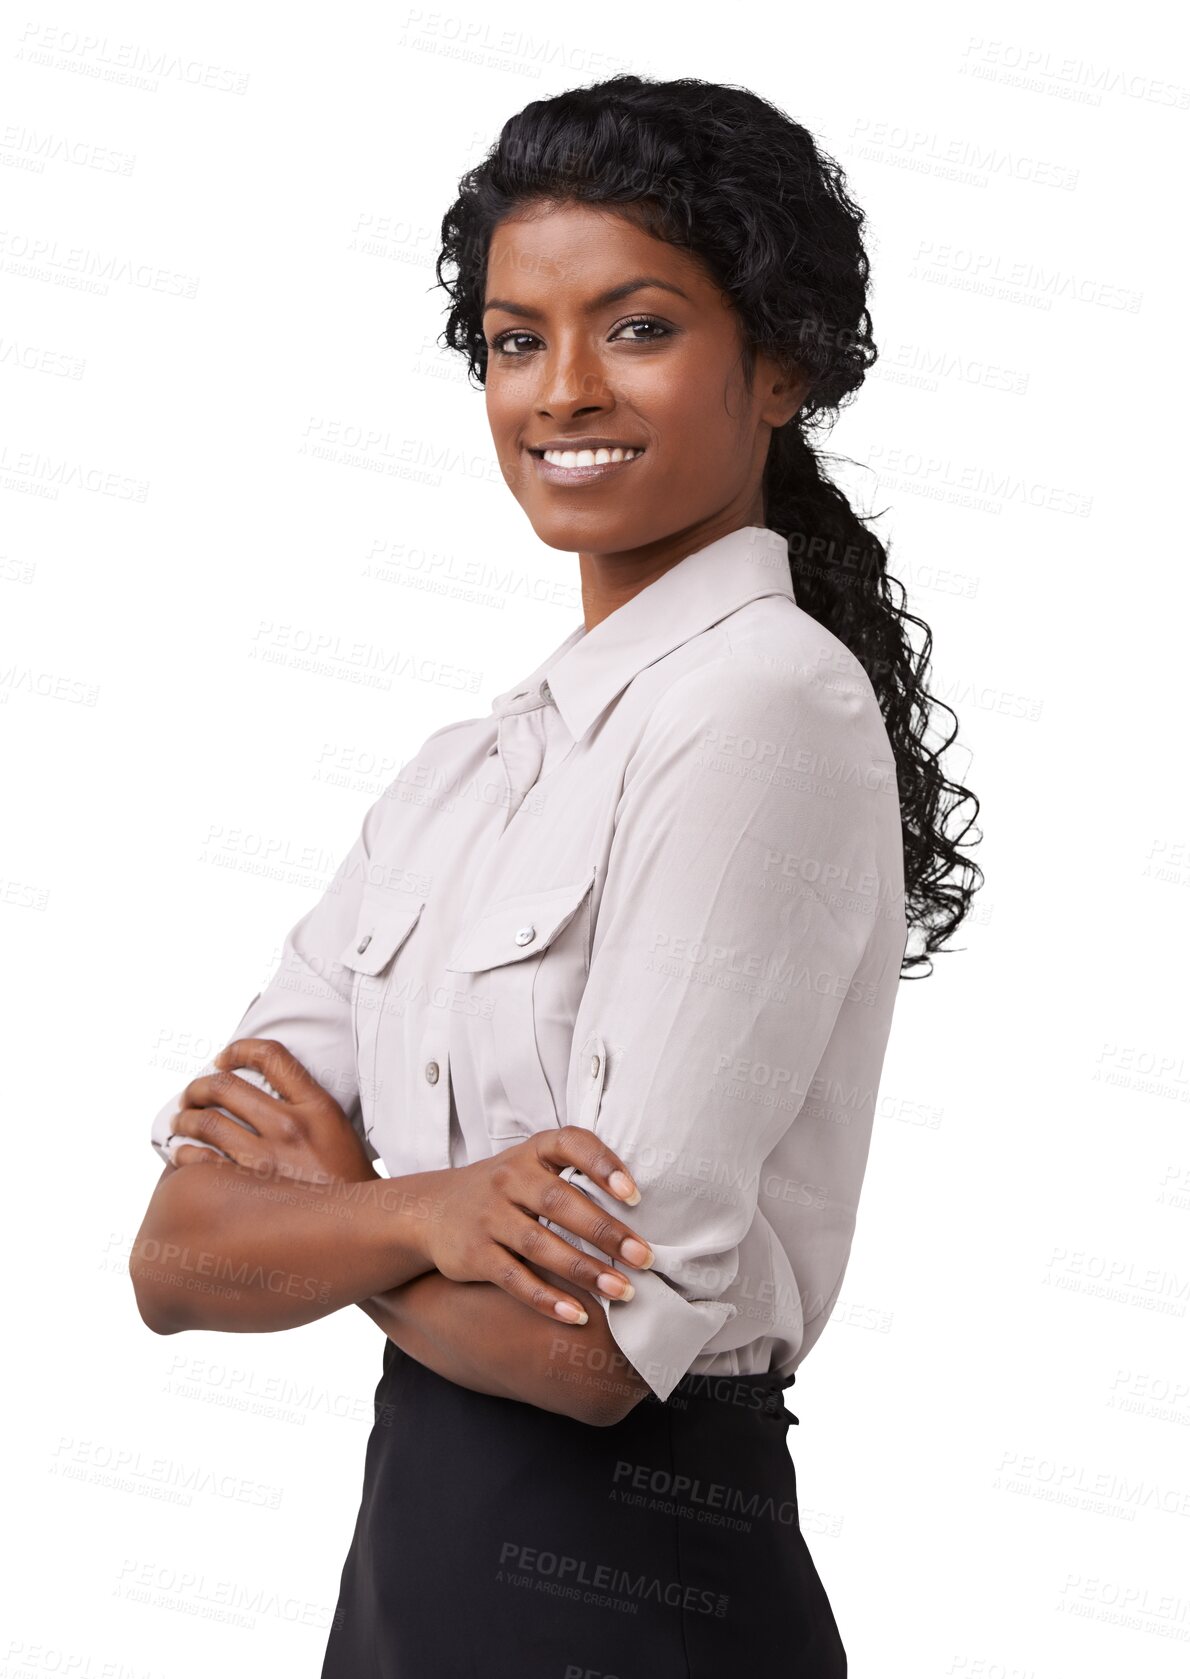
(993, 1446)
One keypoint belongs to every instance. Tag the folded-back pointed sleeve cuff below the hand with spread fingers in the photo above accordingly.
(659, 1331)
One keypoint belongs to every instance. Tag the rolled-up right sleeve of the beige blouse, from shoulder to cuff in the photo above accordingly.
(724, 953)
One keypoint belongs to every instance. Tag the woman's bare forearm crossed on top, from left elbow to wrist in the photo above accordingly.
(222, 1250)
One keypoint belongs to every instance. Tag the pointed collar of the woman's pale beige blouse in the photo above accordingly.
(592, 667)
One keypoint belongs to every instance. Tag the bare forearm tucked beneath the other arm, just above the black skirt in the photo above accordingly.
(479, 1337)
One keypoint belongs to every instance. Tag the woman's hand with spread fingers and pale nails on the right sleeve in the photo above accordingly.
(488, 1215)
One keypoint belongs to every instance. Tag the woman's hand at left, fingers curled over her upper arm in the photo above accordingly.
(301, 1134)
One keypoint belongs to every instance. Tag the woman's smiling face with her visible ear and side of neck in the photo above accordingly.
(659, 369)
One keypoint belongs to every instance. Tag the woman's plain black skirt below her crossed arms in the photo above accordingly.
(498, 1540)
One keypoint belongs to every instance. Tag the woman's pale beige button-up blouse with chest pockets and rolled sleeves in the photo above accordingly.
(657, 892)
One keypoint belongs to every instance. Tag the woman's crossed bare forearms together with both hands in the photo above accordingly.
(303, 1186)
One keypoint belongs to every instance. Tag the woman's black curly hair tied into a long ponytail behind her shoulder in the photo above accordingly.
(728, 177)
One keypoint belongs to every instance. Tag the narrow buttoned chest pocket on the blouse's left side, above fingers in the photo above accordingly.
(377, 1007)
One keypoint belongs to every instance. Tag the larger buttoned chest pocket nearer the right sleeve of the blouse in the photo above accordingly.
(528, 961)
